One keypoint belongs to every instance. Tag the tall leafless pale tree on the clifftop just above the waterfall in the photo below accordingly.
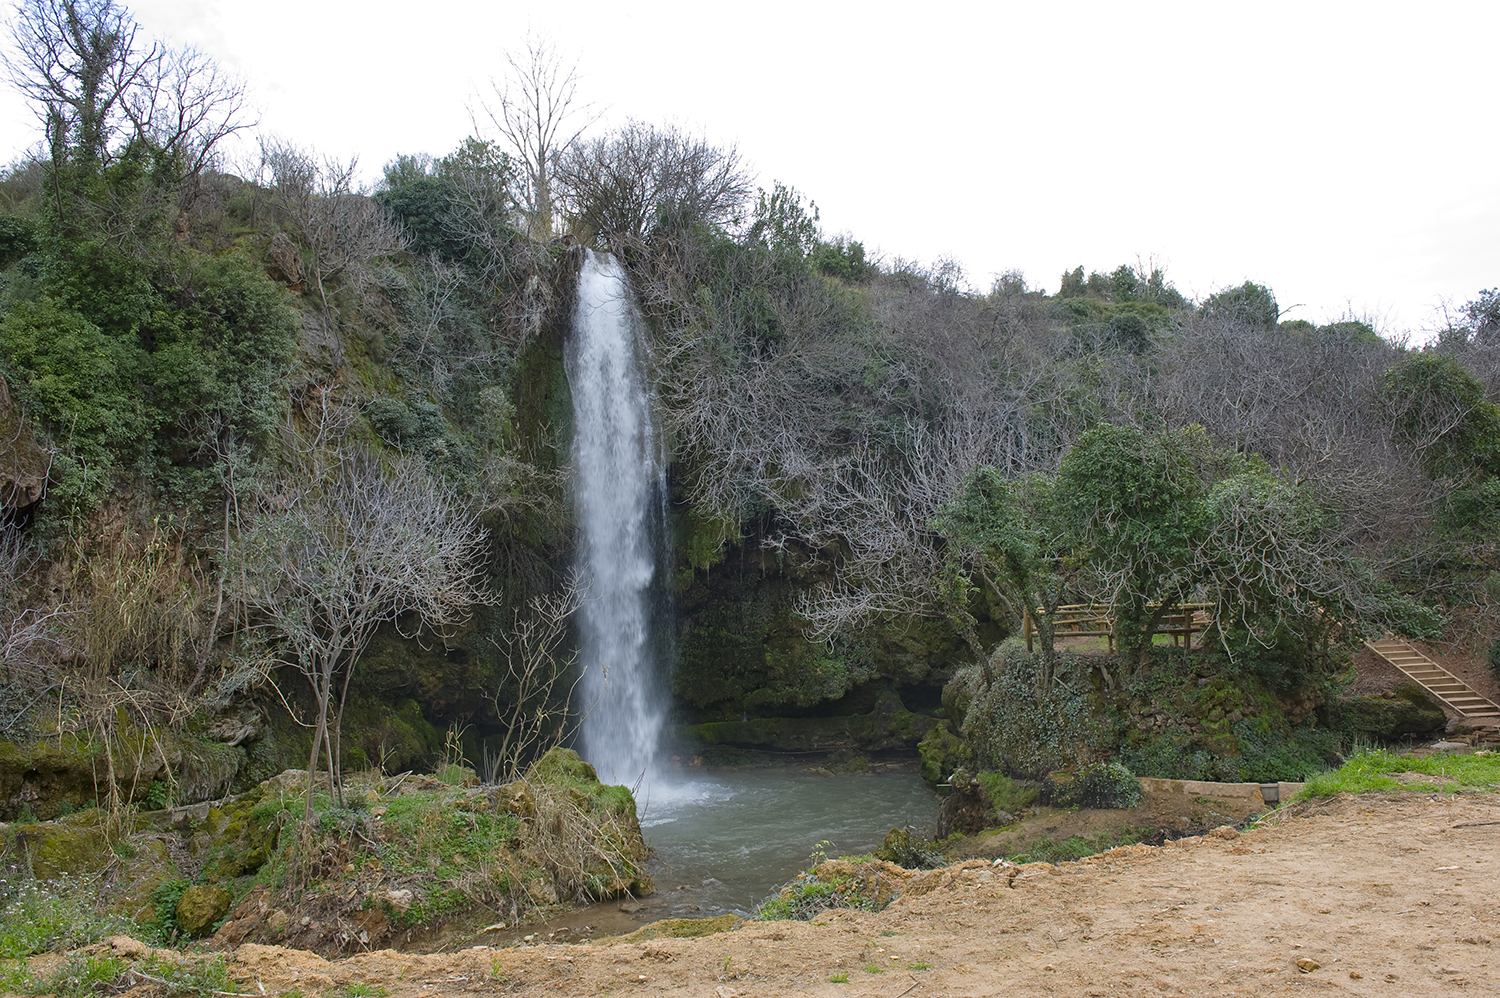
(538, 115)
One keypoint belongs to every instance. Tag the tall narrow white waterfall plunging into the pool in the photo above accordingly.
(617, 491)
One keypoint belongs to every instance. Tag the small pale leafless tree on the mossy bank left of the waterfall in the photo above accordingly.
(331, 561)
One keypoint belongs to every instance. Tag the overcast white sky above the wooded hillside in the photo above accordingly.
(1342, 154)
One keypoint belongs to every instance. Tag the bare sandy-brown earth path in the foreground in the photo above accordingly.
(1376, 895)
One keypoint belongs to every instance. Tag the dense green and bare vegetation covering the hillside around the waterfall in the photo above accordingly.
(878, 470)
